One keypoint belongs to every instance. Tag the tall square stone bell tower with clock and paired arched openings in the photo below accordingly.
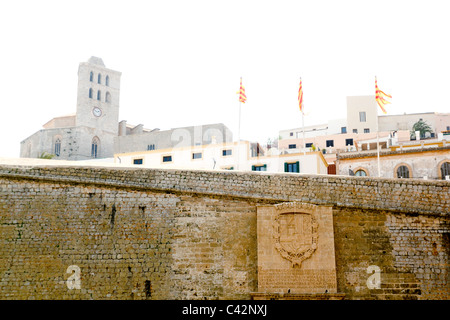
(98, 96)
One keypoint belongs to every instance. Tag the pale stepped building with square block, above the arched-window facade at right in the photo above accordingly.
(359, 130)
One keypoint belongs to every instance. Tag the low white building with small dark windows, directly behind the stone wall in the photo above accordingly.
(243, 156)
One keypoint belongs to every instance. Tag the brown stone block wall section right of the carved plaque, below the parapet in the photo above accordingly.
(410, 250)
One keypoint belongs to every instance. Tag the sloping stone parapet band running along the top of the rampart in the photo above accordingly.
(406, 195)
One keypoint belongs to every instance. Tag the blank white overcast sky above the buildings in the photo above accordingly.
(181, 60)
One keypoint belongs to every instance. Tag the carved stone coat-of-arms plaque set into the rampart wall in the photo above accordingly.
(296, 249)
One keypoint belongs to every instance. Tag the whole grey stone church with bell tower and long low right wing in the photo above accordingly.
(94, 130)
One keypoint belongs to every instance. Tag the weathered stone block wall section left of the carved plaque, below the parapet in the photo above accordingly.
(128, 244)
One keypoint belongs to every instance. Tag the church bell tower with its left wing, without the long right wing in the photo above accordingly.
(90, 133)
